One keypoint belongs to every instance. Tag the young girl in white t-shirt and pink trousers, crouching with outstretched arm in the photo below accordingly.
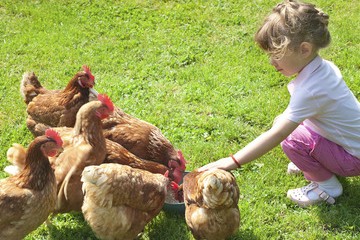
(320, 129)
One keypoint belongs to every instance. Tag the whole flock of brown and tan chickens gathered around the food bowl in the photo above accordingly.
(89, 156)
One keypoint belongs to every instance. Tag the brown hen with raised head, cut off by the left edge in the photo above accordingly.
(27, 198)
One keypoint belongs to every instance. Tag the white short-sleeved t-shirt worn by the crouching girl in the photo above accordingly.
(321, 100)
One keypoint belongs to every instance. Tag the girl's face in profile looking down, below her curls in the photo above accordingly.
(291, 63)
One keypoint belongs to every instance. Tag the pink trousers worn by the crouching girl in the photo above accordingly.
(318, 158)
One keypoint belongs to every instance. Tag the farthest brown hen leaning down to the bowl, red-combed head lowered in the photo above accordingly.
(145, 141)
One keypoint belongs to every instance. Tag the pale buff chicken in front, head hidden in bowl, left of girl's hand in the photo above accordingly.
(120, 200)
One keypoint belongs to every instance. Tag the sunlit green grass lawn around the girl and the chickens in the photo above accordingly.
(192, 69)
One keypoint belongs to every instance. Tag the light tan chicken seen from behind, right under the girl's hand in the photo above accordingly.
(211, 204)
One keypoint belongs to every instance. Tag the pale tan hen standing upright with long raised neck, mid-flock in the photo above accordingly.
(84, 145)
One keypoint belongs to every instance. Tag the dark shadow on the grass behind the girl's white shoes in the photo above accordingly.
(344, 215)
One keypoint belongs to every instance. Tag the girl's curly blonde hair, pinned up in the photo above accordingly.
(291, 23)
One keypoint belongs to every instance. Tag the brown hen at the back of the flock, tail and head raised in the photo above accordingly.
(55, 108)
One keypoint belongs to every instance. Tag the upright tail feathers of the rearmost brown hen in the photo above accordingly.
(30, 86)
